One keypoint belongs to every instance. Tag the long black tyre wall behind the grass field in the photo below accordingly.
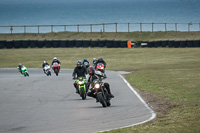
(97, 43)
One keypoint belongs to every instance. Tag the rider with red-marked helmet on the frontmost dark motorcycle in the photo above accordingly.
(92, 77)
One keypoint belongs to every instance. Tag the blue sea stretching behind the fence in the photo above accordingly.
(74, 12)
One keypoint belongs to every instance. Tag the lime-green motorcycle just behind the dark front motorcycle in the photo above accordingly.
(81, 84)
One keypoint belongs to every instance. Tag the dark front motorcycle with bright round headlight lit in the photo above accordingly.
(100, 91)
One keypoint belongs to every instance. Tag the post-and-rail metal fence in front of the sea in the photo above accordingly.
(105, 27)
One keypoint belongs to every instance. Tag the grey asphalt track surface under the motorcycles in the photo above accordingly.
(42, 104)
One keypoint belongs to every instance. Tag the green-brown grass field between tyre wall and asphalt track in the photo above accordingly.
(170, 77)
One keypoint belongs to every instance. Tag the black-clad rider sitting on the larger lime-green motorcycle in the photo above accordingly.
(79, 71)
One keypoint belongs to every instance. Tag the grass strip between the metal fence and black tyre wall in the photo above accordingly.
(132, 36)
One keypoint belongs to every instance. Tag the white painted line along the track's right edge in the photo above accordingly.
(153, 114)
